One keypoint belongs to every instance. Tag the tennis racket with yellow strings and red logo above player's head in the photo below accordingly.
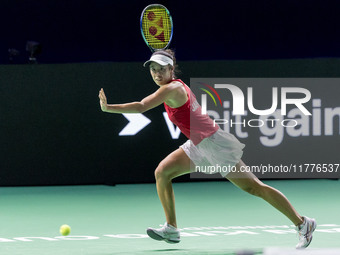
(156, 27)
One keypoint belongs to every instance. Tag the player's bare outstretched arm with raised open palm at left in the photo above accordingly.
(146, 104)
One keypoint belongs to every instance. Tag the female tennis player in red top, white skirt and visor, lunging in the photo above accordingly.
(207, 145)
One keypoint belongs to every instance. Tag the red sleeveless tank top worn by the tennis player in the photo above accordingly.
(189, 119)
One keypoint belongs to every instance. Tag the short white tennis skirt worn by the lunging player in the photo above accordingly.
(215, 154)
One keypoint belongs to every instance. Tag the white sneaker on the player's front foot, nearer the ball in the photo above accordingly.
(168, 233)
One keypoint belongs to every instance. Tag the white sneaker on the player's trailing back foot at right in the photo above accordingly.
(305, 231)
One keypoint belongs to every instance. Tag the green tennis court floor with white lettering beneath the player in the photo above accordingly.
(215, 218)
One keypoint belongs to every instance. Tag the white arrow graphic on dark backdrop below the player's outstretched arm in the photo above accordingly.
(137, 122)
